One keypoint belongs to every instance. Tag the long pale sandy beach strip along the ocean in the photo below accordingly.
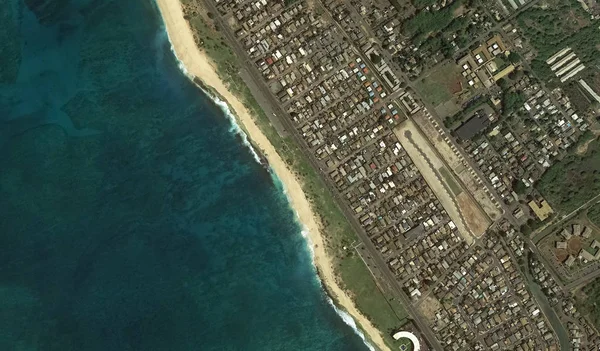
(200, 67)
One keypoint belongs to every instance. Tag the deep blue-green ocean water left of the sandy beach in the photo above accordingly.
(132, 217)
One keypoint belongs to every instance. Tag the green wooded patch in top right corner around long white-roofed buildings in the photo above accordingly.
(561, 24)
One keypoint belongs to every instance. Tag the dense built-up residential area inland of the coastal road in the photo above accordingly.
(443, 128)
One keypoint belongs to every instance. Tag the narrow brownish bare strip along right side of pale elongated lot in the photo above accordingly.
(459, 166)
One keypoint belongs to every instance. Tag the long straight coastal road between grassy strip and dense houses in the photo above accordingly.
(264, 95)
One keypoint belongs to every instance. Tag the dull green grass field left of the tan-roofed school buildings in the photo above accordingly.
(438, 86)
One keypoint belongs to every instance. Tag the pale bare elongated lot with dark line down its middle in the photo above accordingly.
(428, 163)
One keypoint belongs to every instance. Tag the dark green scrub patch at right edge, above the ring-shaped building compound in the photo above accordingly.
(572, 181)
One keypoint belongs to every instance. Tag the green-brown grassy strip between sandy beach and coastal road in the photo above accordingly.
(386, 314)
